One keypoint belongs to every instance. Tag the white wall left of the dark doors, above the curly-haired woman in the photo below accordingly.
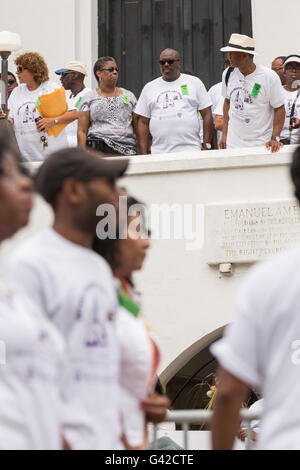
(60, 30)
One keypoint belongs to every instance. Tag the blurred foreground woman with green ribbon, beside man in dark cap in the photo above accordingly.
(139, 352)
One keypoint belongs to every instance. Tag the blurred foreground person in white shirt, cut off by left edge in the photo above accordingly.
(31, 350)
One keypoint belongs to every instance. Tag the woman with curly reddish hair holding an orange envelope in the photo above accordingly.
(34, 81)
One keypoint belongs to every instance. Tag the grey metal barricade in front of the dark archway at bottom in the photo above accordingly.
(188, 417)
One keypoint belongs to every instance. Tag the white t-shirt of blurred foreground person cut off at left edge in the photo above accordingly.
(31, 355)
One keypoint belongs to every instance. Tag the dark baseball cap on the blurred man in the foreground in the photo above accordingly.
(76, 163)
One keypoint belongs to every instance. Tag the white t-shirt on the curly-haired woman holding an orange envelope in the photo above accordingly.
(22, 104)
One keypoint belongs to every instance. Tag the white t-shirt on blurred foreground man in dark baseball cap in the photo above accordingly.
(75, 287)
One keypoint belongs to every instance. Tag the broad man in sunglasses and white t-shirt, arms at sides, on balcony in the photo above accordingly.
(169, 110)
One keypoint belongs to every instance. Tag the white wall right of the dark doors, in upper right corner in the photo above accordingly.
(275, 28)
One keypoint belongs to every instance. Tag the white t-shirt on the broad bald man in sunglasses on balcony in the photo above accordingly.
(173, 111)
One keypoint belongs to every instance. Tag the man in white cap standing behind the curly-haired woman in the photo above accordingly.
(72, 79)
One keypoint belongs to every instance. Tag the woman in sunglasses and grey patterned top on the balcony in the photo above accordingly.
(106, 121)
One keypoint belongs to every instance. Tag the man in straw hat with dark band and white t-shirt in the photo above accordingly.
(254, 110)
